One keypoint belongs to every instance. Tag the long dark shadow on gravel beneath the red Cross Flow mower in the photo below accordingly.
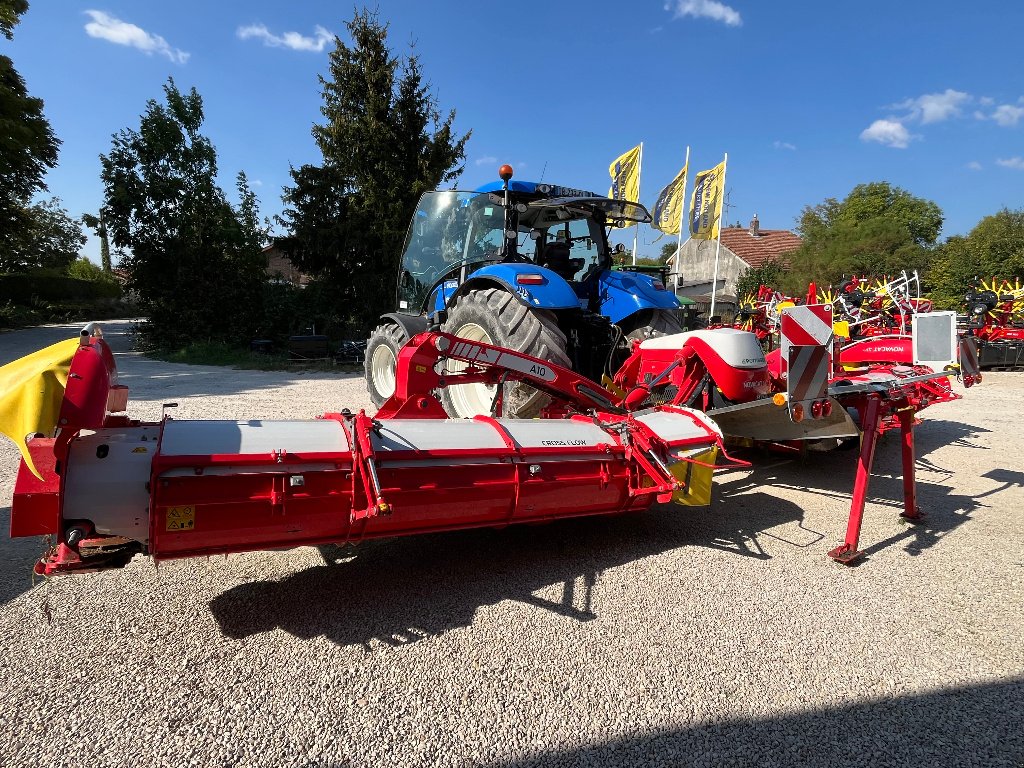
(403, 590)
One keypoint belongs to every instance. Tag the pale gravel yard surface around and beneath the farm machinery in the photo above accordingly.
(708, 637)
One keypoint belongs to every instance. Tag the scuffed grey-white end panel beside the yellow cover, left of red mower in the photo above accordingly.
(107, 477)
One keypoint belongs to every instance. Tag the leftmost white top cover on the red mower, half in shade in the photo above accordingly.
(258, 437)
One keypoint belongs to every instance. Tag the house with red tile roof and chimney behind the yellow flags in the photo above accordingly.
(693, 267)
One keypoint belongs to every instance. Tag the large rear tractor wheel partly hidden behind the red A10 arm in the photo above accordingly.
(496, 317)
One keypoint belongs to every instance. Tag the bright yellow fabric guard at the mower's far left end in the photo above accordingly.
(31, 393)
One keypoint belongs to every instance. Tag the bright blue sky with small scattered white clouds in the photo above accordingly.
(809, 99)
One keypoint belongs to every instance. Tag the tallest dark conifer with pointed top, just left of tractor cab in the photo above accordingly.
(385, 144)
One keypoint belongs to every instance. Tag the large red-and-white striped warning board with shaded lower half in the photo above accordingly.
(807, 346)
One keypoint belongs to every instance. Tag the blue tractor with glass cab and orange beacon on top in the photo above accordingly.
(526, 267)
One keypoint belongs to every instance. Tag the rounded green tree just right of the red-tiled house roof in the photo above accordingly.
(876, 230)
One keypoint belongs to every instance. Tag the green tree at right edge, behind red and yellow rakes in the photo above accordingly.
(995, 248)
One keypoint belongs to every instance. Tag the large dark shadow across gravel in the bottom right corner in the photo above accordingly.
(977, 726)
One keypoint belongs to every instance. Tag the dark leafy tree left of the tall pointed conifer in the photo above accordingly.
(194, 260)
